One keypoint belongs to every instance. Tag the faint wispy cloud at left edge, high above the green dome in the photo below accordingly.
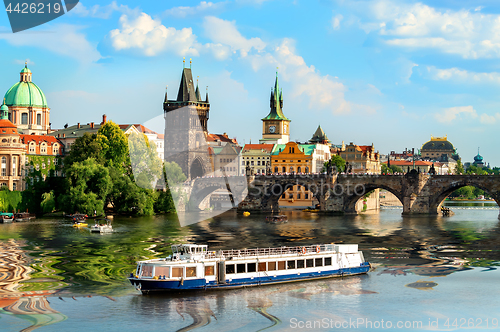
(63, 39)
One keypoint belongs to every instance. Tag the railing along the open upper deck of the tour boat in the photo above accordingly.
(318, 248)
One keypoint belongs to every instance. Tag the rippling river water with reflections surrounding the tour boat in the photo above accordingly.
(430, 273)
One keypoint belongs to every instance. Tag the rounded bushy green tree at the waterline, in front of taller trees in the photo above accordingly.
(89, 184)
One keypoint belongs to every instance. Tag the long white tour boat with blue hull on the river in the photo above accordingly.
(193, 267)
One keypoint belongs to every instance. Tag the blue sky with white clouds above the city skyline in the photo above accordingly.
(391, 73)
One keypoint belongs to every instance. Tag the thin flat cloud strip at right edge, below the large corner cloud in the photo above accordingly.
(460, 75)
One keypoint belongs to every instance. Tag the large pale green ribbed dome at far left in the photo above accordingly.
(25, 94)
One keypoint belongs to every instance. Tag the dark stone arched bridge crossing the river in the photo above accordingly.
(419, 193)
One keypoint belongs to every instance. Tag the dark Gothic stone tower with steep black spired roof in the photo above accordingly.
(186, 119)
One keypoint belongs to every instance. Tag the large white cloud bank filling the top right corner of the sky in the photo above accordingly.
(467, 33)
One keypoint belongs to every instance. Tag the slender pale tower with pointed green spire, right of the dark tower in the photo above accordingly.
(275, 126)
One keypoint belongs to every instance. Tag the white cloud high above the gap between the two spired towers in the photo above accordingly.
(226, 33)
